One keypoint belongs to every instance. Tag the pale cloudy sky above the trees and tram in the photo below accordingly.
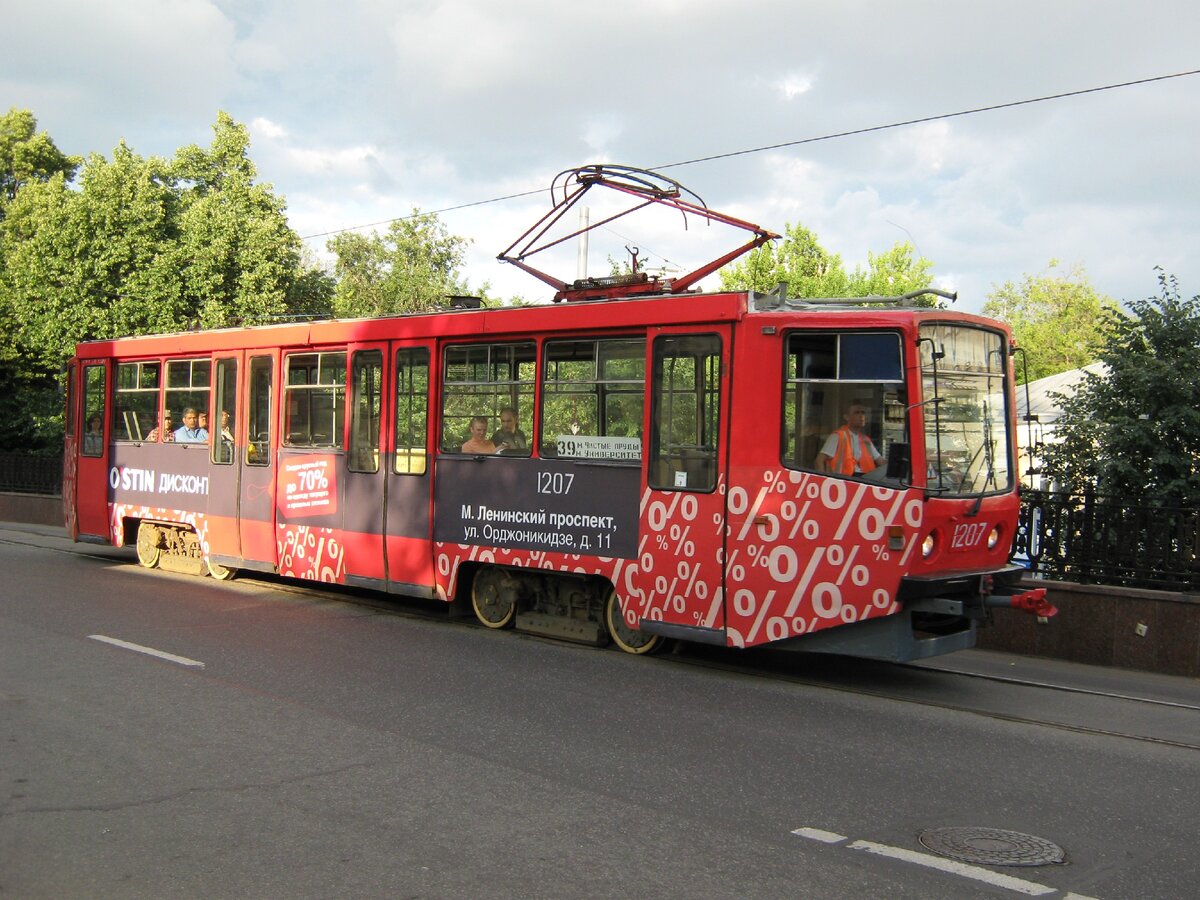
(363, 111)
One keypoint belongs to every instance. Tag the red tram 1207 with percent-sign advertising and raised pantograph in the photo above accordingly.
(641, 463)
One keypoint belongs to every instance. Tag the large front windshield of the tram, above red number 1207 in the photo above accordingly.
(963, 376)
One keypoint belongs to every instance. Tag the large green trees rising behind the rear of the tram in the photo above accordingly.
(141, 247)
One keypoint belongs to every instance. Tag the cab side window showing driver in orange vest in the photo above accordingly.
(844, 401)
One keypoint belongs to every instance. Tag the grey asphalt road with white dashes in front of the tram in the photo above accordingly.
(310, 746)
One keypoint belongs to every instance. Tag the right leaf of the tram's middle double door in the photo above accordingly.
(410, 472)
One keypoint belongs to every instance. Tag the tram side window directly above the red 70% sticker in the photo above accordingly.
(315, 400)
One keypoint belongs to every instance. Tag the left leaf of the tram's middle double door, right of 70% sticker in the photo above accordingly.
(364, 479)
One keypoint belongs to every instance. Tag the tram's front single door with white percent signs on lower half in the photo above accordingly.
(682, 521)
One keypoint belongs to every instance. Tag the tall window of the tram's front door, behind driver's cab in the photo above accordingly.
(686, 415)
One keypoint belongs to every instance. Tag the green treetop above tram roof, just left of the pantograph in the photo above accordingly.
(412, 268)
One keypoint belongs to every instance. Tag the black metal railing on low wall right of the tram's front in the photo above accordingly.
(1109, 541)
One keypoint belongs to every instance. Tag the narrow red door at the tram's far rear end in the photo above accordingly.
(92, 427)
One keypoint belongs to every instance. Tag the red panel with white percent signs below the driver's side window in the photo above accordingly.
(808, 553)
